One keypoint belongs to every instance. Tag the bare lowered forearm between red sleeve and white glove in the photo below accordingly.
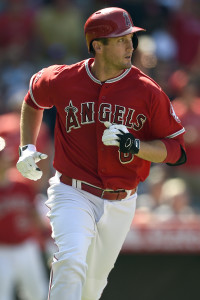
(30, 123)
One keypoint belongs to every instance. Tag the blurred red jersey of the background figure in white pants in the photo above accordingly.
(16, 204)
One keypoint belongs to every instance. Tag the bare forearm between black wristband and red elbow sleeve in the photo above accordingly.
(154, 151)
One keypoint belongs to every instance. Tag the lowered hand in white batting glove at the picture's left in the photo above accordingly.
(26, 164)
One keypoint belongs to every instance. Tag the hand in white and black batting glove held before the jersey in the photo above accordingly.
(118, 135)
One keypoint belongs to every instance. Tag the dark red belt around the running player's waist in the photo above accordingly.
(107, 194)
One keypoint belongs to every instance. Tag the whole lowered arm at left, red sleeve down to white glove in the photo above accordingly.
(33, 106)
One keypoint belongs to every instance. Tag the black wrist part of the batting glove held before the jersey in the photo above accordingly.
(128, 143)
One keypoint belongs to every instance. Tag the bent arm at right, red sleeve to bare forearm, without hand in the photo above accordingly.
(164, 123)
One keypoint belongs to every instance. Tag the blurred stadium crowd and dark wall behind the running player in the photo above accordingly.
(160, 257)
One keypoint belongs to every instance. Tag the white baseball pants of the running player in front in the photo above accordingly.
(89, 233)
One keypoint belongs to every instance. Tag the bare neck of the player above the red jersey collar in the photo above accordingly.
(102, 72)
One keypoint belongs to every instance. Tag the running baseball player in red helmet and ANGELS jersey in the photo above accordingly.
(112, 122)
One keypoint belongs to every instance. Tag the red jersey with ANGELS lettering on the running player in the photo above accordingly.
(83, 104)
